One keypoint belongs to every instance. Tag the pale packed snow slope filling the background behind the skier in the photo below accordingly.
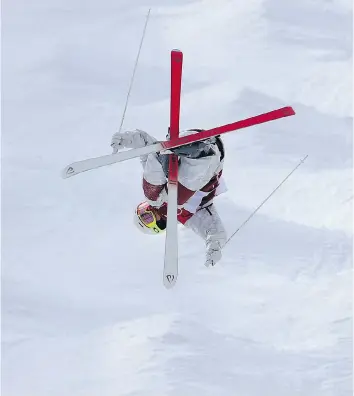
(84, 311)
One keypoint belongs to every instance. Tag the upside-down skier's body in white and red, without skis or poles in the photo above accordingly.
(199, 181)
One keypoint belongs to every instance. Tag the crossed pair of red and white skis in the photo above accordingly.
(170, 272)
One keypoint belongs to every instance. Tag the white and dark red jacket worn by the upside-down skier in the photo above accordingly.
(200, 180)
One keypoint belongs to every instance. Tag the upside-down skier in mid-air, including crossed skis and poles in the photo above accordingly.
(181, 178)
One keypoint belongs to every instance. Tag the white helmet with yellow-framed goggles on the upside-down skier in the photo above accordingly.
(145, 220)
